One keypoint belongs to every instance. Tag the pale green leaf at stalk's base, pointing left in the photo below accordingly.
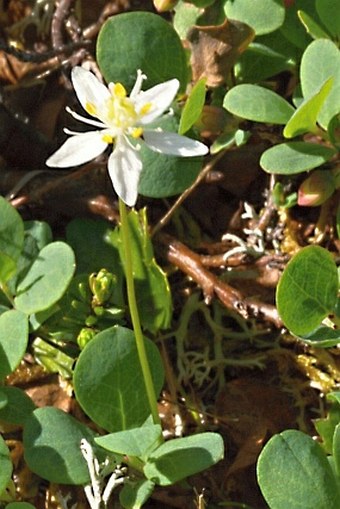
(133, 442)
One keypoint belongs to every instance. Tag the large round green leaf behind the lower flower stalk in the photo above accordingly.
(108, 379)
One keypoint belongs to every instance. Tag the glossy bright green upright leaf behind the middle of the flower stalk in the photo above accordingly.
(151, 284)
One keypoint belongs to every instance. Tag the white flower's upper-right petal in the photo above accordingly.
(160, 97)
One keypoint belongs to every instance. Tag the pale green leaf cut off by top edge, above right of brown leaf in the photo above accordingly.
(263, 16)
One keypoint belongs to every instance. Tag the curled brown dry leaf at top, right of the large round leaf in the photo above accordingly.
(215, 49)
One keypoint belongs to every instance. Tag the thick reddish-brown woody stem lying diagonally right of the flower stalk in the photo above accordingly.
(189, 262)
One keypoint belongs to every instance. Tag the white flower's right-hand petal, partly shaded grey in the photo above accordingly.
(174, 144)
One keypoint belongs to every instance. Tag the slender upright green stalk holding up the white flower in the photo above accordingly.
(150, 390)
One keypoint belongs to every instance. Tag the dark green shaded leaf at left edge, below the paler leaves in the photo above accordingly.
(19, 406)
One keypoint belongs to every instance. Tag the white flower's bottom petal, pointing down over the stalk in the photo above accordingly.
(124, 167)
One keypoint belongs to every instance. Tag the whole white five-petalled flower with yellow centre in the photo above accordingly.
(121, 118)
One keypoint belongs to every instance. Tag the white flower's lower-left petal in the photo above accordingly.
(78, 149)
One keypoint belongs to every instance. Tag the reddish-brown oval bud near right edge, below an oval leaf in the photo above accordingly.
(316, 189)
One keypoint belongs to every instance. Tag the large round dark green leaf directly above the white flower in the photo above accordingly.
(140, 40)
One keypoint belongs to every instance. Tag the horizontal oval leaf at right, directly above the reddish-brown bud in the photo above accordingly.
(295, 157)
